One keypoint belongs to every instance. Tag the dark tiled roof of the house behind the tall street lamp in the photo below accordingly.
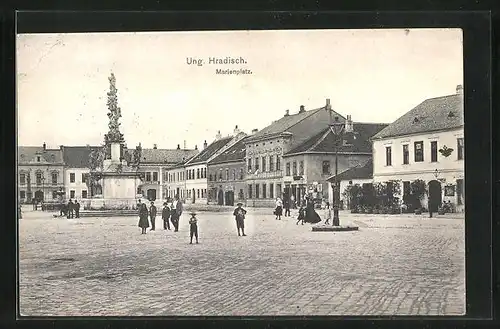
(356, 142)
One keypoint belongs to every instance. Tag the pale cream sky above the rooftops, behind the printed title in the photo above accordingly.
(373, 75)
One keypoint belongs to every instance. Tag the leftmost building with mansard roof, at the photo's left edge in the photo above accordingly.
(40, 173)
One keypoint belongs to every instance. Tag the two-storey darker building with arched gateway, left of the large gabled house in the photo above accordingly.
(226, 176)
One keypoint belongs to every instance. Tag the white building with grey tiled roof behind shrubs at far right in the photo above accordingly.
(427, 143)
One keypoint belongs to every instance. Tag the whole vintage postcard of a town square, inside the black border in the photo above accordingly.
(179, 201)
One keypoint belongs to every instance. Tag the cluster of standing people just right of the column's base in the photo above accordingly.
(171, 213)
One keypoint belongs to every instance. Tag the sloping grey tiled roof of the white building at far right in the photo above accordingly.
(433, 114)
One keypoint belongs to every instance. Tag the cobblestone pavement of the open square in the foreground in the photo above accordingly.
(400, 265)
